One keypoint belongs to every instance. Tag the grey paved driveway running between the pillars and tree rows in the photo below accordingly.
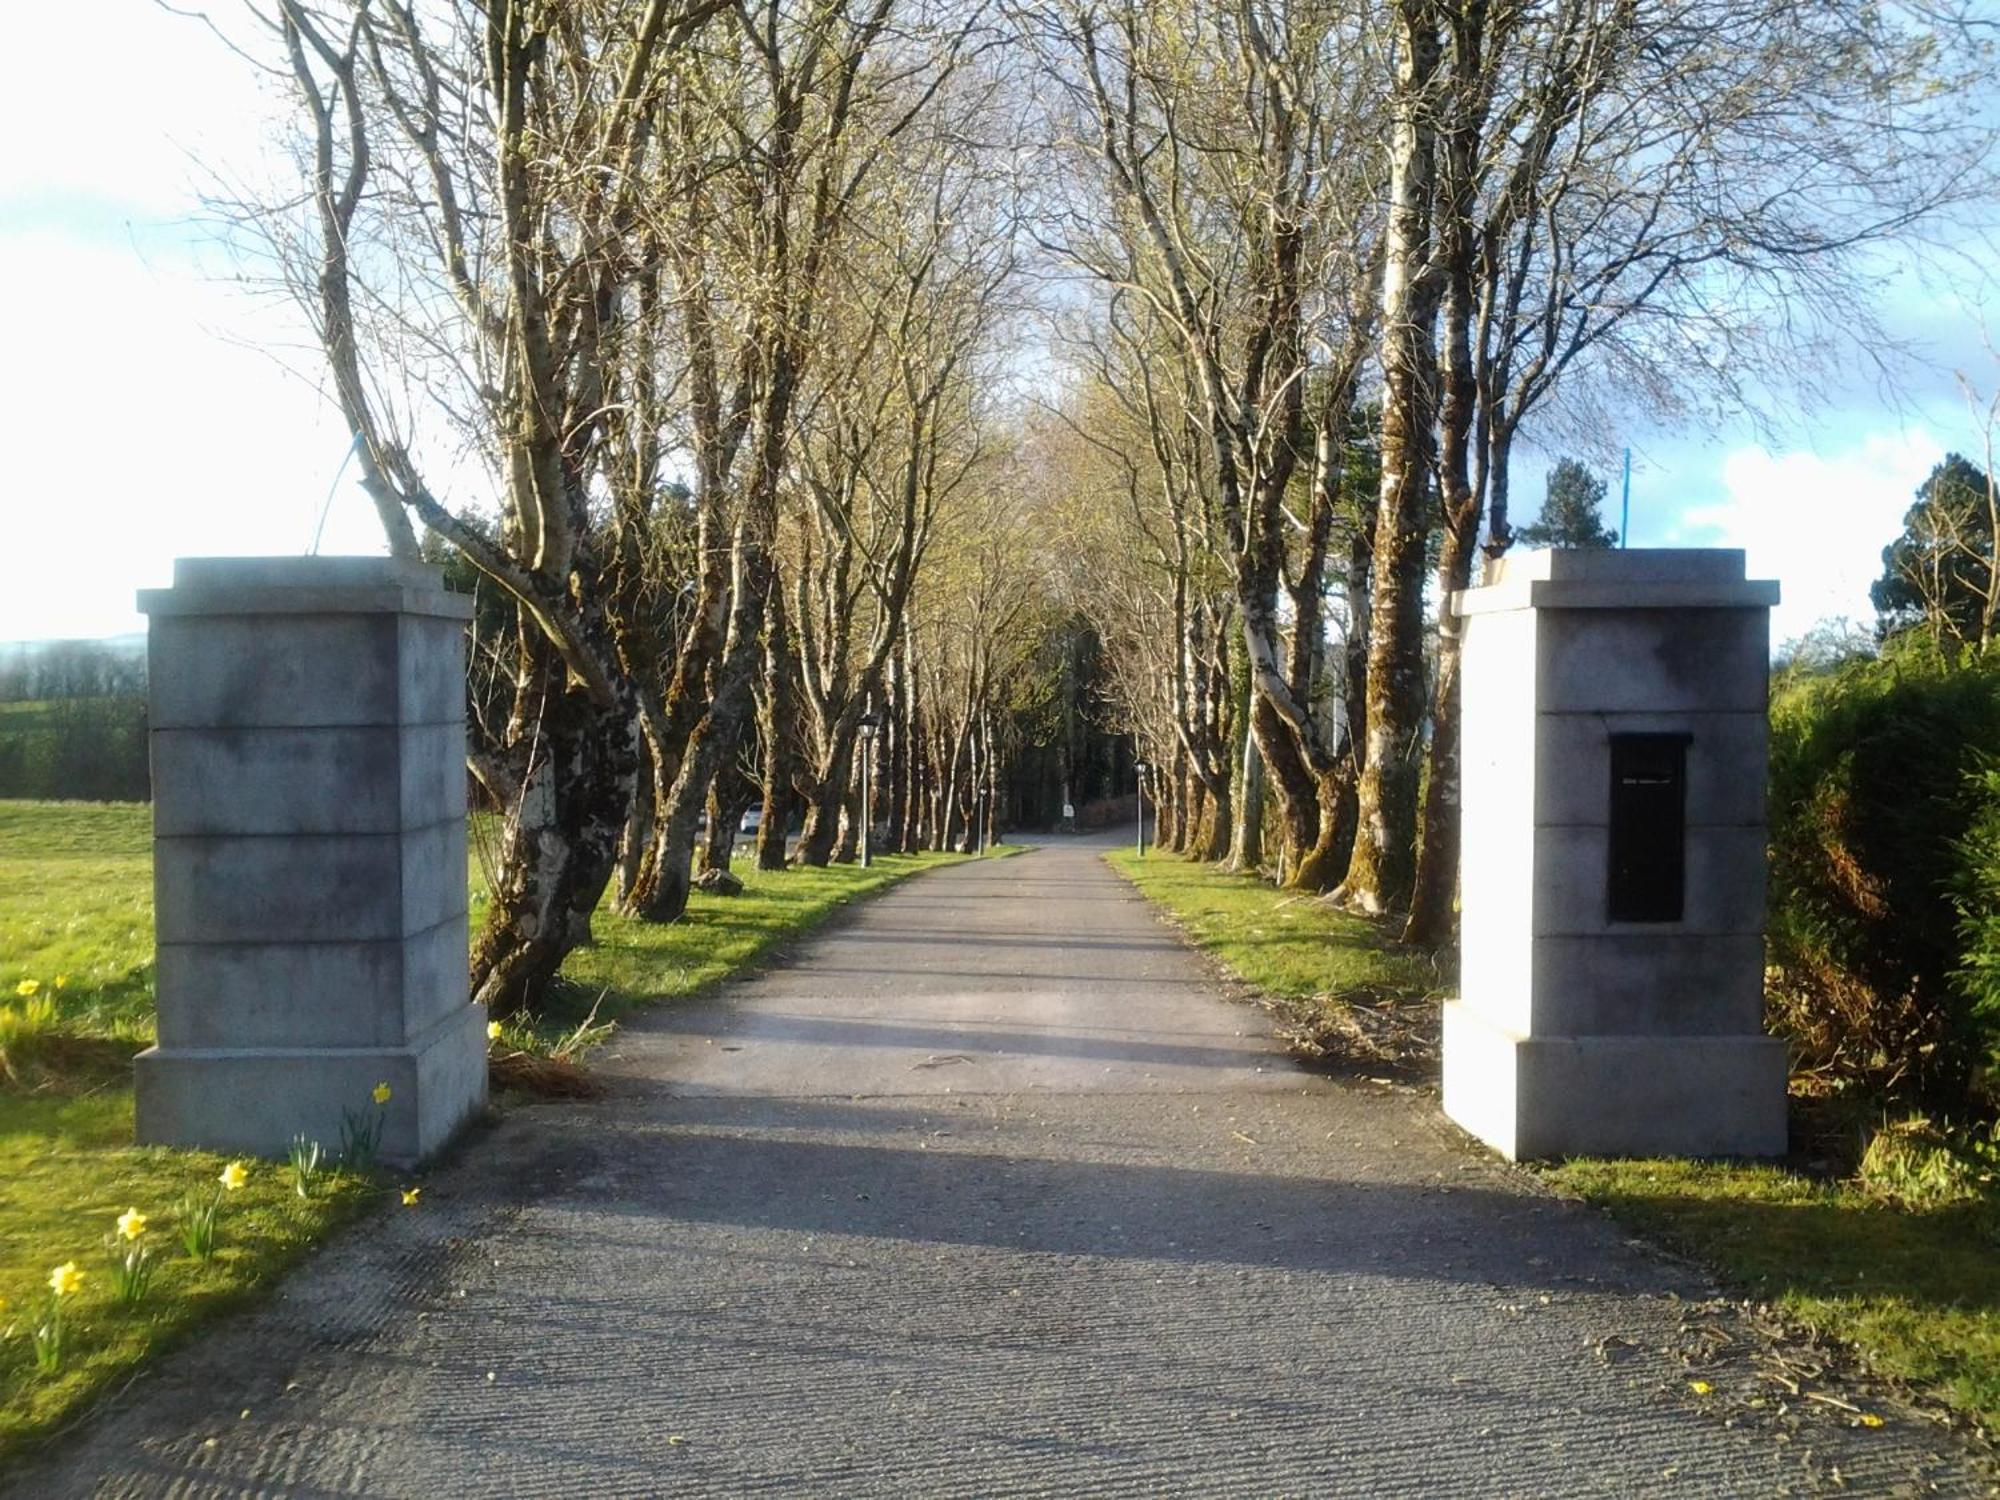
(985, 1193)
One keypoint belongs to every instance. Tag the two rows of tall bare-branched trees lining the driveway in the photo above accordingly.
(857, 359)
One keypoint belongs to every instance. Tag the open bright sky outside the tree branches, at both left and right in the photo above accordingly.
(153, 409)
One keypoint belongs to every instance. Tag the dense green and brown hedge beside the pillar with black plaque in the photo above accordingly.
(1879, 773)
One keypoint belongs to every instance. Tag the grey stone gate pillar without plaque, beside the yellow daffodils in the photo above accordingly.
(309, 783)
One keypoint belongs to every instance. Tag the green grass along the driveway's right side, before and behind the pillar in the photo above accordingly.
(1915, 1295)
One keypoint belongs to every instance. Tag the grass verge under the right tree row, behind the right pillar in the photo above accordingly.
(1339, 985)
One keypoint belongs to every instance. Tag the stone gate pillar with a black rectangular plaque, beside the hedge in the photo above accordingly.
(1613, 871)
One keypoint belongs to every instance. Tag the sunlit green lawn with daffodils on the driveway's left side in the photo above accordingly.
(77, 925)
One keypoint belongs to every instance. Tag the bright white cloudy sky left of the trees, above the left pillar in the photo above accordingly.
(139, 407)
